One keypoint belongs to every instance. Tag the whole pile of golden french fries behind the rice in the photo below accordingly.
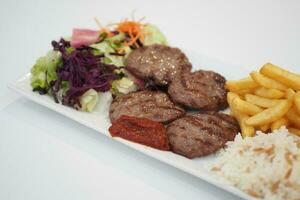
(266, 100)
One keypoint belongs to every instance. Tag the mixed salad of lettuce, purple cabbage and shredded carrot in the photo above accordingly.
(92, 62)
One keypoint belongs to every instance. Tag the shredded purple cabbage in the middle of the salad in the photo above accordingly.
(83, 70)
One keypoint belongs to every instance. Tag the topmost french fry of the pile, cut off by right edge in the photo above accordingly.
(288, 78)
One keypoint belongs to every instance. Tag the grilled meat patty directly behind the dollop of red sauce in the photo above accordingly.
(154, 105)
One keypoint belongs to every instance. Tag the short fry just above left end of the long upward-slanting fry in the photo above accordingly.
(245, 107)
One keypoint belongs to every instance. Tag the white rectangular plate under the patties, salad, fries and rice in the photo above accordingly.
(99, 121)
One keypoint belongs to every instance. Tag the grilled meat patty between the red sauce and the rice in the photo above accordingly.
(201, 134)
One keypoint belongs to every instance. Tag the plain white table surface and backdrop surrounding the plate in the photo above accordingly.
(44, 155)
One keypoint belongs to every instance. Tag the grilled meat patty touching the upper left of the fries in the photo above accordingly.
(199, 90)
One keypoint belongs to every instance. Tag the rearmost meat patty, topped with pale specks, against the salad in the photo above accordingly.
(157, 62)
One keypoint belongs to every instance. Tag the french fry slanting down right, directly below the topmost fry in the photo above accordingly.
(267, 82)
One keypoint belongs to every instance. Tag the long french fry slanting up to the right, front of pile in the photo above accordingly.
(270, 115)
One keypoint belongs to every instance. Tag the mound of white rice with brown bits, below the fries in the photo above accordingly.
(266, 166)
